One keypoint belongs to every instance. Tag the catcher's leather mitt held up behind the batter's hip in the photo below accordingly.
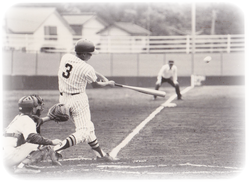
(59, 113)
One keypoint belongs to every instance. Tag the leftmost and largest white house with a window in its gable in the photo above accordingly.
(44, 28)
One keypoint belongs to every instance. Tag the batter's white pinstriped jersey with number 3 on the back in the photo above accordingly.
(74, 74)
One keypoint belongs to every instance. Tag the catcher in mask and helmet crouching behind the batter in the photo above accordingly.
(21, 141)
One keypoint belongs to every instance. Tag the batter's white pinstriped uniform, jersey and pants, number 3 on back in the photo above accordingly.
(73, 75)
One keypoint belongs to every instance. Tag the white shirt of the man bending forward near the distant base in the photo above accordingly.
(166, 72)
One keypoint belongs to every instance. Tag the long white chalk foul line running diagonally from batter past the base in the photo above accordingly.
(115, 151)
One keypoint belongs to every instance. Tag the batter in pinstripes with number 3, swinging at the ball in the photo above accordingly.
(73, 76)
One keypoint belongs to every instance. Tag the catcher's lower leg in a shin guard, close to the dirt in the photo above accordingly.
(43, 154)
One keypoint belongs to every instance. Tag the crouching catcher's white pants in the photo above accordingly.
(13, 156)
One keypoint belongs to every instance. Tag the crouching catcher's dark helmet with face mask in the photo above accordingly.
(30, 103)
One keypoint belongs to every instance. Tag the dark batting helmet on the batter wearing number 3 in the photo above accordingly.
(84, 45)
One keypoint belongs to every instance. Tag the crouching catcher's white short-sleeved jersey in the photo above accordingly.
(21, 124)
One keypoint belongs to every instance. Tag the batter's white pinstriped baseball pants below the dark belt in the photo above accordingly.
(80, 115)
